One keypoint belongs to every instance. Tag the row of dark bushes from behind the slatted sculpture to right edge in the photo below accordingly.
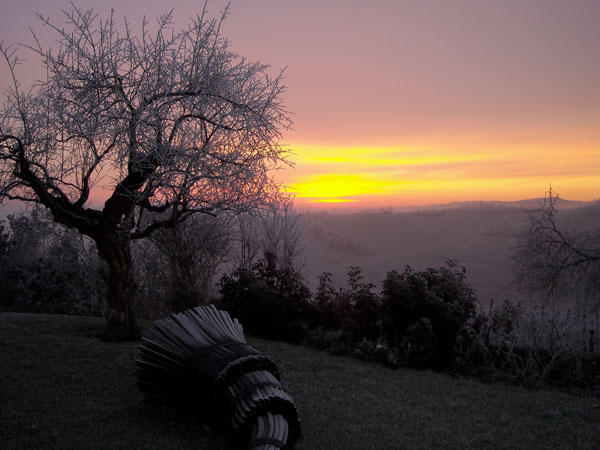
(422, 319)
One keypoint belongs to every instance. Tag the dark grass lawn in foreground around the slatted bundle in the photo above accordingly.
(62, 388)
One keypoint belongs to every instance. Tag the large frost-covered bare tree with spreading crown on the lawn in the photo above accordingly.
(157, 122)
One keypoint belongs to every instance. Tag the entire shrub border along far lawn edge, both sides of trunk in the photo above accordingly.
(425, 319)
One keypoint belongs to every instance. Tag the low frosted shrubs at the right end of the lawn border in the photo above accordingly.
(501, 346)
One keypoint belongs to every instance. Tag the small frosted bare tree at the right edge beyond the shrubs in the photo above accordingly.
(551, 260)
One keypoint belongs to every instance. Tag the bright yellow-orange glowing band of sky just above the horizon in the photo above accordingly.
(397, 176)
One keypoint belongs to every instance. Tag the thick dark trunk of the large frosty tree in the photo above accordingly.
(121, 322)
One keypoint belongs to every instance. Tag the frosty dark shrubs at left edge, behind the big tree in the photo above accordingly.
(47, 268)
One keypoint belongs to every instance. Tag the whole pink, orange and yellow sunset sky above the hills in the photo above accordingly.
(411, 102)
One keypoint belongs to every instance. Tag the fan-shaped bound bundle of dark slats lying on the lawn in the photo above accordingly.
(200, 358)
